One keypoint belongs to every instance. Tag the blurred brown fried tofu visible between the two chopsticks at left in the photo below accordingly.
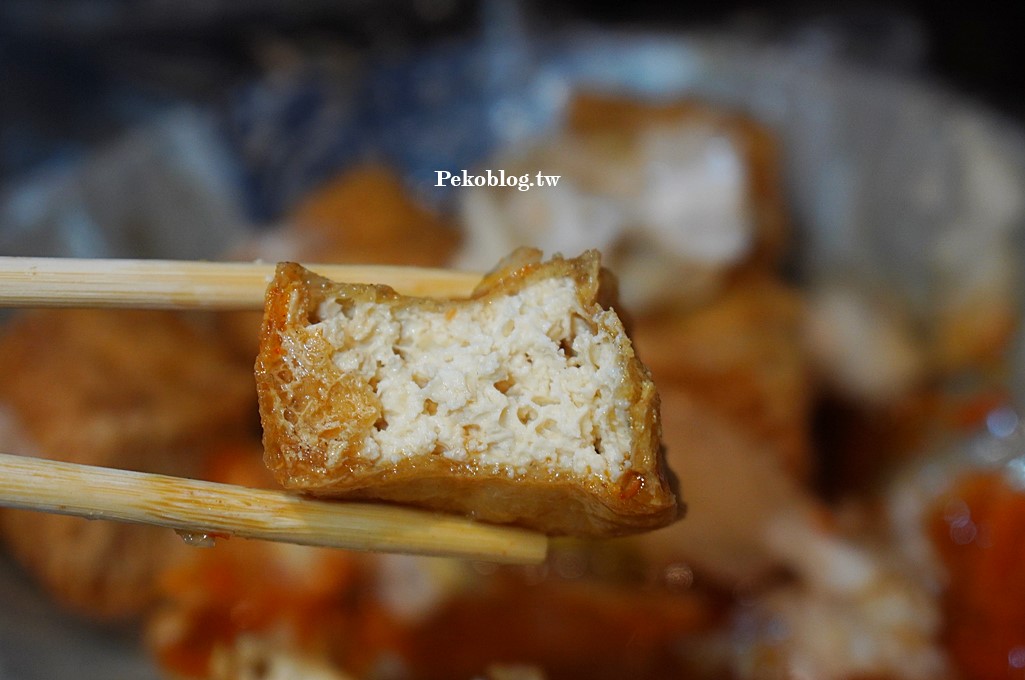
(118, 380)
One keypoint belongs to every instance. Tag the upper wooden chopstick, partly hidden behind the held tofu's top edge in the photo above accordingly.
(190, 285)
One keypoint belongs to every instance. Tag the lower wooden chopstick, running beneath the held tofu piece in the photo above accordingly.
(199, 508)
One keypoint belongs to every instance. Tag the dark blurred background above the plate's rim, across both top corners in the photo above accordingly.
(76, 72)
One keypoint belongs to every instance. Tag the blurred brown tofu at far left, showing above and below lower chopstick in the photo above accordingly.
(145, 391)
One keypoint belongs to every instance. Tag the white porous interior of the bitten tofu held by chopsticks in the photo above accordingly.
(508, 384)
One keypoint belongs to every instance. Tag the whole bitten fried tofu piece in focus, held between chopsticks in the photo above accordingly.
(523, 405)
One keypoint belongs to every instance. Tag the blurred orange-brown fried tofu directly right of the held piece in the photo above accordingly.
(743, 357)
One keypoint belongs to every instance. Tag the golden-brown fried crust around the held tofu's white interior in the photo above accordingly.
(301, 389)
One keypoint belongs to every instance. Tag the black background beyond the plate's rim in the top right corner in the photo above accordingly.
(975, 48)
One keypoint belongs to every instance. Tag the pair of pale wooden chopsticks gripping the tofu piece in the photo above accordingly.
(209, 509)
